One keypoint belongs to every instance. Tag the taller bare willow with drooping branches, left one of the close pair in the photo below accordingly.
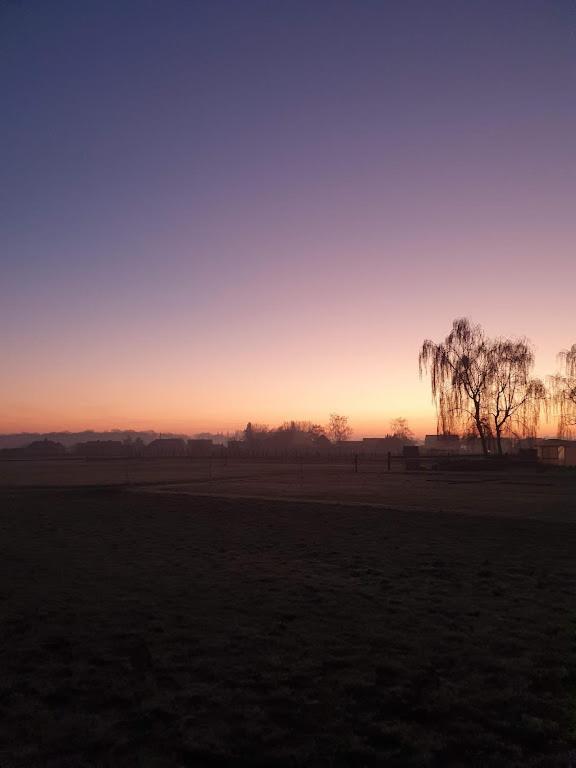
(461, 369)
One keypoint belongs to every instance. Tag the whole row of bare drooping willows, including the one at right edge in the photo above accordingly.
(485, 385)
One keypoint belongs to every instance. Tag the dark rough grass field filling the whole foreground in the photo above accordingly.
(143, 629)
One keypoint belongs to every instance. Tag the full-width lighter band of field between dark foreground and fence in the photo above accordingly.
(536, 493)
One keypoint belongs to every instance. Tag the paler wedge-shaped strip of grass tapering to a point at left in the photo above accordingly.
(546, 495)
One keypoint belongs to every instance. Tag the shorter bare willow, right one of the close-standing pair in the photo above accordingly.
(514, 399)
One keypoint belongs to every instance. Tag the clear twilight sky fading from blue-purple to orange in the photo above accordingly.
(219, 211)
